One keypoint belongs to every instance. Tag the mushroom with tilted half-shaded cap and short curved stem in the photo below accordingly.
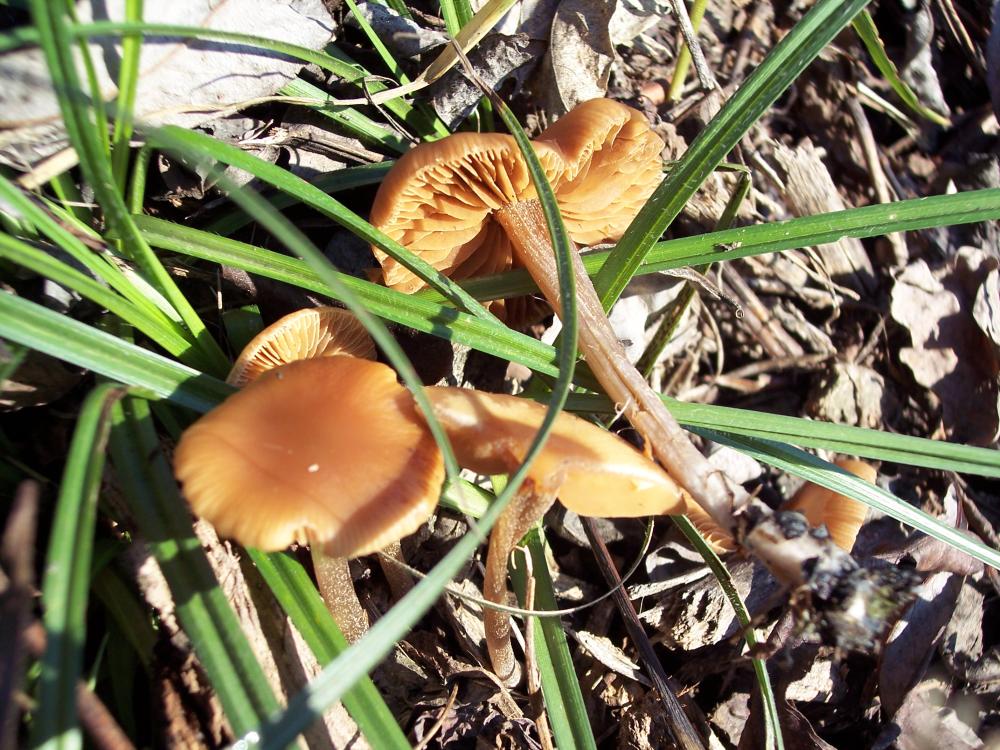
(593, 473)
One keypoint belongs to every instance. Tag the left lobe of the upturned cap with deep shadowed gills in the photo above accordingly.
(437, 199)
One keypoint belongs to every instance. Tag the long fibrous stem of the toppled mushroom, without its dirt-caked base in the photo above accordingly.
(526, 227)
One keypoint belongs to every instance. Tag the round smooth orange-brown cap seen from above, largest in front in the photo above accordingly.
(328, 451)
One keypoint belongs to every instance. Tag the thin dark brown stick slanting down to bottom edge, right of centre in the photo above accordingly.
(680, 726)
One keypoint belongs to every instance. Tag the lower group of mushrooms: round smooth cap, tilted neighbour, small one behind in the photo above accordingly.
(332, 452)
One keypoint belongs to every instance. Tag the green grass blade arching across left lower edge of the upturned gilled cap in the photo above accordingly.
(315, 198)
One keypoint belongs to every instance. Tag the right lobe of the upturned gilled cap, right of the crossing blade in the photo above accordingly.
(610, 166)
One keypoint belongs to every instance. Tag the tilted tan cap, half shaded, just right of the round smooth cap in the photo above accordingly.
(594, 472)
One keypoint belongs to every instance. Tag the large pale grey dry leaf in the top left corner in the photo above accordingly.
(173, 75)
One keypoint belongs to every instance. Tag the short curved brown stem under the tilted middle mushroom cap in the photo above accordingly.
(525, 509)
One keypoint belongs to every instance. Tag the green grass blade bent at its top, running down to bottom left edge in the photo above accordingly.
(67, 575)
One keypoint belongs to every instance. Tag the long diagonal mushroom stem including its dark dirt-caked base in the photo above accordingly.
(829, 578)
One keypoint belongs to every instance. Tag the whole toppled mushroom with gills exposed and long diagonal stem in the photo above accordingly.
(471, 194)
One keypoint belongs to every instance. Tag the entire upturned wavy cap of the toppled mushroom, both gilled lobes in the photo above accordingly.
(466, 203)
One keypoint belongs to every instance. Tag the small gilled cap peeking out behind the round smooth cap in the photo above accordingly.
(303, 334)
